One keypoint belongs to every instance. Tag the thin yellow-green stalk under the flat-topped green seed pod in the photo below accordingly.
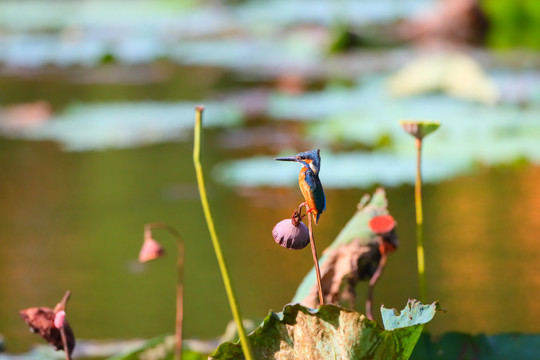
(420, 223)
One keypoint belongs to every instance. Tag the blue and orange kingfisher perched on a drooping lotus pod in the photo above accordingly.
(309, 182)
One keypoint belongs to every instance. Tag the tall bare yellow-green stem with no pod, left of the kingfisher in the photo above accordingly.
(246, 348)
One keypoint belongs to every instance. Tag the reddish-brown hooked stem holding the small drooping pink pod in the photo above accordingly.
(179, 284)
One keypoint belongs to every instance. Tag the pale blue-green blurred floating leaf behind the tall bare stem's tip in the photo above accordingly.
(86, 127)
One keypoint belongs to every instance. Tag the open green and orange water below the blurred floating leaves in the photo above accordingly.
(74, 221)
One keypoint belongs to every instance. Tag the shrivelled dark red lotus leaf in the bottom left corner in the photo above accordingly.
(41, 321)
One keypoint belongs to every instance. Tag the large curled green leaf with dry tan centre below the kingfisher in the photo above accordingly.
(330, 332)
